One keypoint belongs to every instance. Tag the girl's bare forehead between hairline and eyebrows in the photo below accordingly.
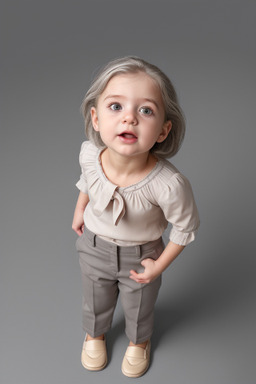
(138, 83)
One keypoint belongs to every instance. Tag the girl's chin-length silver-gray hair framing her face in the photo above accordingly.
(173, 112)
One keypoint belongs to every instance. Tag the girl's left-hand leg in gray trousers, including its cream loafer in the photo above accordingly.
(100, 294)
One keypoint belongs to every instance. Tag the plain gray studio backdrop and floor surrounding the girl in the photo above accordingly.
(205, 315)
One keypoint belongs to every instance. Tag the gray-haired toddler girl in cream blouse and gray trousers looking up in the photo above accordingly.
(128, 194)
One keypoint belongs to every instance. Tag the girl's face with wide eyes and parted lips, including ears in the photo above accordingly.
(130, 114)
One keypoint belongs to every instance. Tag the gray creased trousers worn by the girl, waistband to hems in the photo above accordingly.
(105, 271)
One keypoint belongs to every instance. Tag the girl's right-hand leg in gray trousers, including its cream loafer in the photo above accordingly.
(138, 302)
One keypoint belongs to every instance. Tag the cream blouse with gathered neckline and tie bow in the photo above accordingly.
(140, 212)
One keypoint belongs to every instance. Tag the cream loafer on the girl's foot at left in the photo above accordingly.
(94, 354)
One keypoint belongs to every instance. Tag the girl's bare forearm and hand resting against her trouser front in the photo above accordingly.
(153, 268)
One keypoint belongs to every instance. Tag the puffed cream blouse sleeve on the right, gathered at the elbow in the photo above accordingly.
(179, 207)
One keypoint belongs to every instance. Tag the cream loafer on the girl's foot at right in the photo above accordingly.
(136, 361)
